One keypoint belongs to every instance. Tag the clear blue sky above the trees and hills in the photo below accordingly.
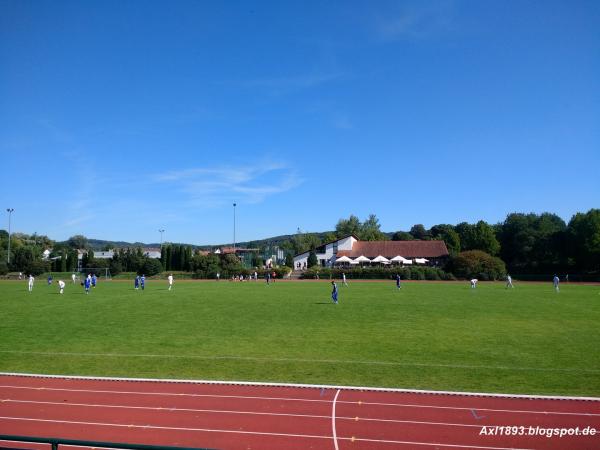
(119, 118)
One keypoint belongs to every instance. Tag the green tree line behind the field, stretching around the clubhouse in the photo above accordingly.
(525, 243)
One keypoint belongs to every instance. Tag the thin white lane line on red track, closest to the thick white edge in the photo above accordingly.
(401, 405)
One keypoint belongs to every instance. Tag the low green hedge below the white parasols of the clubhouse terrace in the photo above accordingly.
(370, 273)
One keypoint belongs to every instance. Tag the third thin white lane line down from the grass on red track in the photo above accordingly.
(259, 433)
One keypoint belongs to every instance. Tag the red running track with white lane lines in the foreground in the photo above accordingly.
(236, 417)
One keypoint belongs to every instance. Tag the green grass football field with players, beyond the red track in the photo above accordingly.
(441, 336)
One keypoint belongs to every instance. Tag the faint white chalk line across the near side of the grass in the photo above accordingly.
(304, 360)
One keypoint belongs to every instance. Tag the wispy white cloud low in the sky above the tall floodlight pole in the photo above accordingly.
(216, 186)
